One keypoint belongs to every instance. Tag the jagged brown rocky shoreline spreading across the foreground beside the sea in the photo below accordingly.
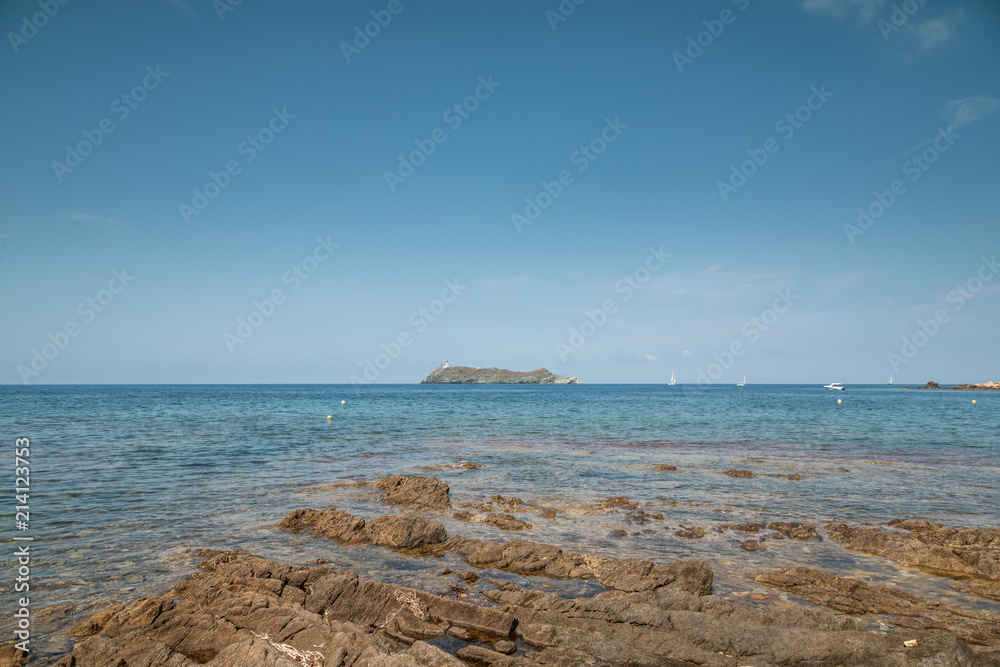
(242, 609)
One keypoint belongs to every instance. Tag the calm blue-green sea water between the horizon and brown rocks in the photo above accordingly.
(128, 482)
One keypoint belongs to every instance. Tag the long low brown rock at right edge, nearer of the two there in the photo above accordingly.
(853, 596)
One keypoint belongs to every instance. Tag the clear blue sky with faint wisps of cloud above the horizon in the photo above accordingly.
(303, 192)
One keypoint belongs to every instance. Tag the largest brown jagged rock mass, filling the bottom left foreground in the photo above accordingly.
(244, 610)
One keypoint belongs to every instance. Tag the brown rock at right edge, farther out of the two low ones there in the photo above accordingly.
(928, 545)
